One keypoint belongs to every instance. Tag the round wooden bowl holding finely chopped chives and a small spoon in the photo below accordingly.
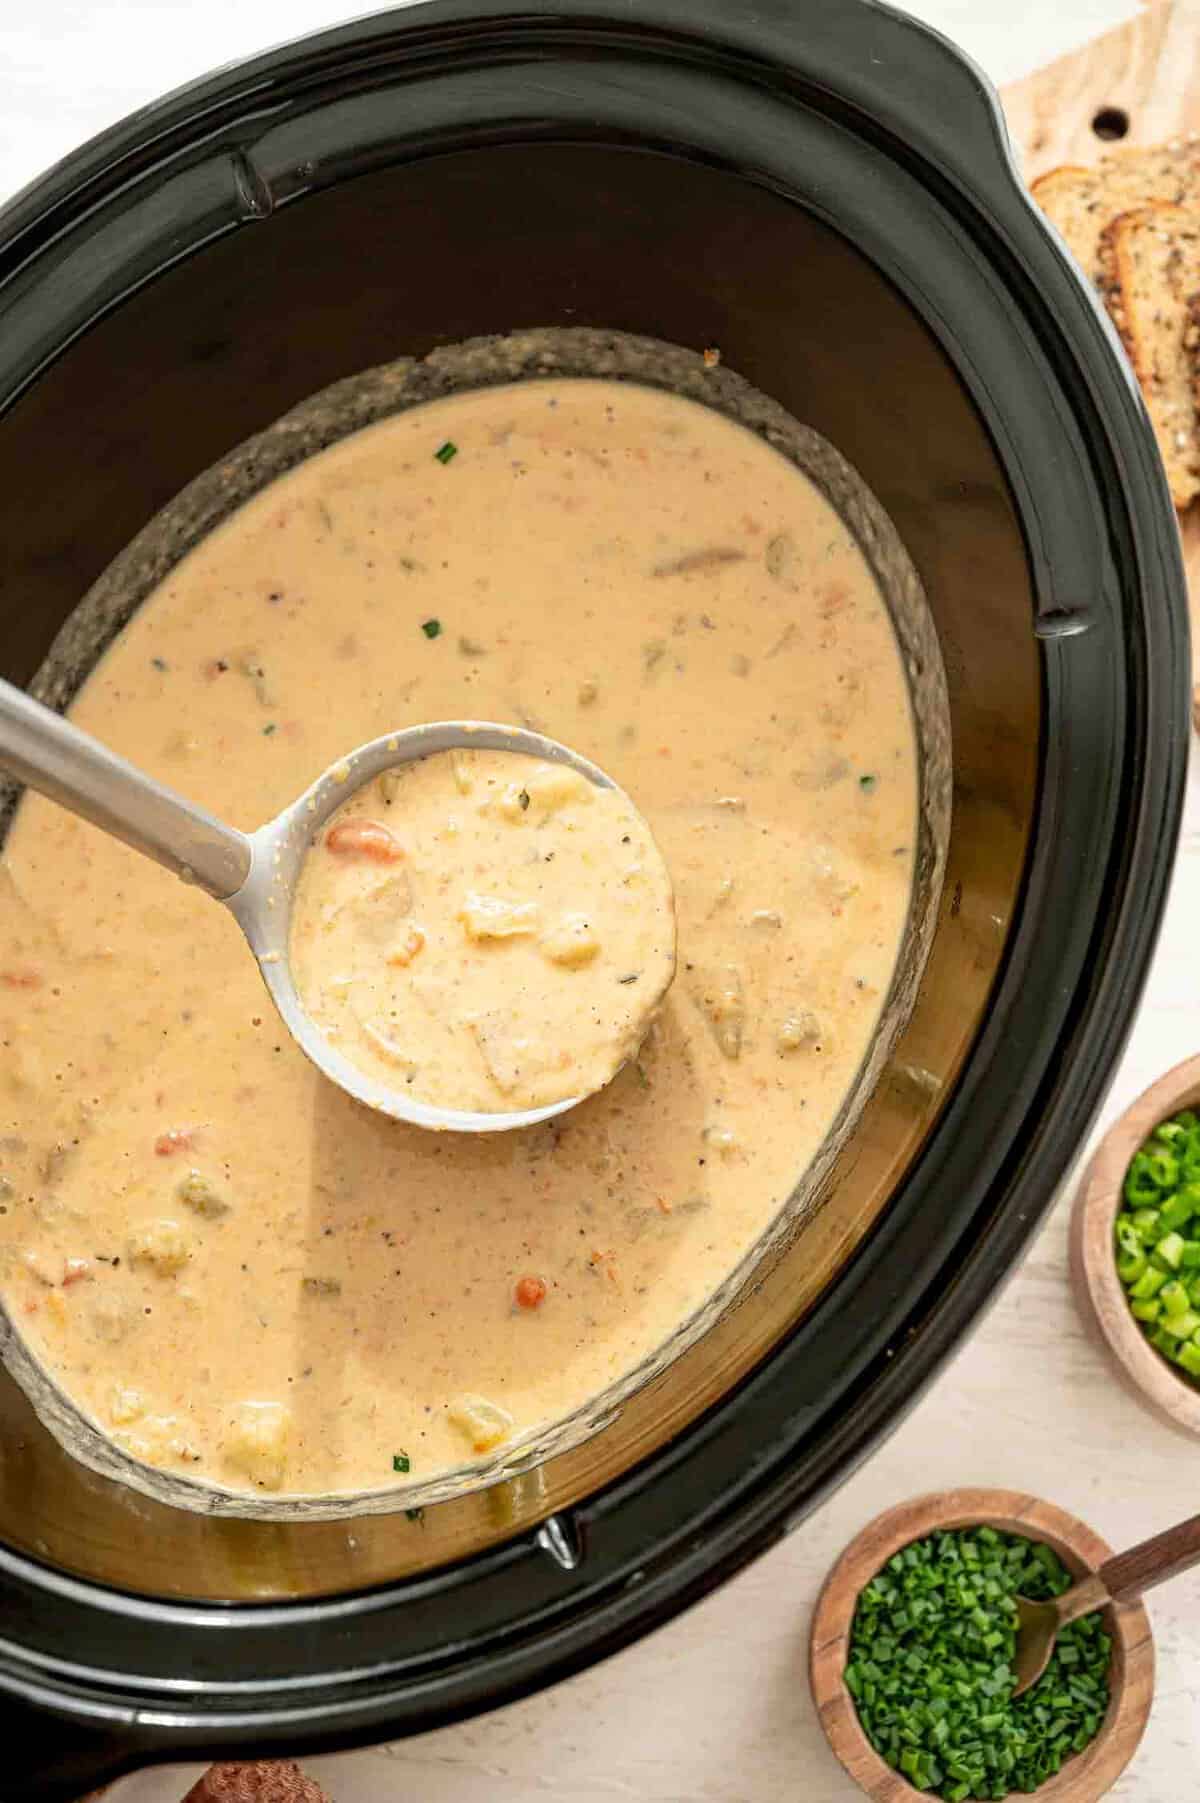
(1132, 1676)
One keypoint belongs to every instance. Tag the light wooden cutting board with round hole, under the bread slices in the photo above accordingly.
(1136, 86)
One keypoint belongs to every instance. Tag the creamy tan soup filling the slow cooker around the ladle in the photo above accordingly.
(237, 1272)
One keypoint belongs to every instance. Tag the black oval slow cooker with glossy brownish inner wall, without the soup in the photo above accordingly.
(823, 190)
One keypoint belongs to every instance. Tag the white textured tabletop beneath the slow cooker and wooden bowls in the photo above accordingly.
(714, 1708)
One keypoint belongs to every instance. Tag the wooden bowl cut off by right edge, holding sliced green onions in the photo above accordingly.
(1095, 1279)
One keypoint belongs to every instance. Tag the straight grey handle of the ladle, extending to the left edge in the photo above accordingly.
(78, 773)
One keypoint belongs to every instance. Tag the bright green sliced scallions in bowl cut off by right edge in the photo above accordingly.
(1158, 1241)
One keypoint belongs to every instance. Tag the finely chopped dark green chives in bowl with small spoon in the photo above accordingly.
(931, 1667)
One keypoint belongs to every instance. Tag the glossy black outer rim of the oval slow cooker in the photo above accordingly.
(131, 1678)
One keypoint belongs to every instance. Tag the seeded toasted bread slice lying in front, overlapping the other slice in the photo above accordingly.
(1150, 268)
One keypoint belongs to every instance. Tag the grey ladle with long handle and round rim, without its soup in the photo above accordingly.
(255, 874)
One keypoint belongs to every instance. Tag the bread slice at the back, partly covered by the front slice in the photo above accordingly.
(1082, 203)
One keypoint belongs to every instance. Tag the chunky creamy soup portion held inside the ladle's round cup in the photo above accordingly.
(487, 929)
